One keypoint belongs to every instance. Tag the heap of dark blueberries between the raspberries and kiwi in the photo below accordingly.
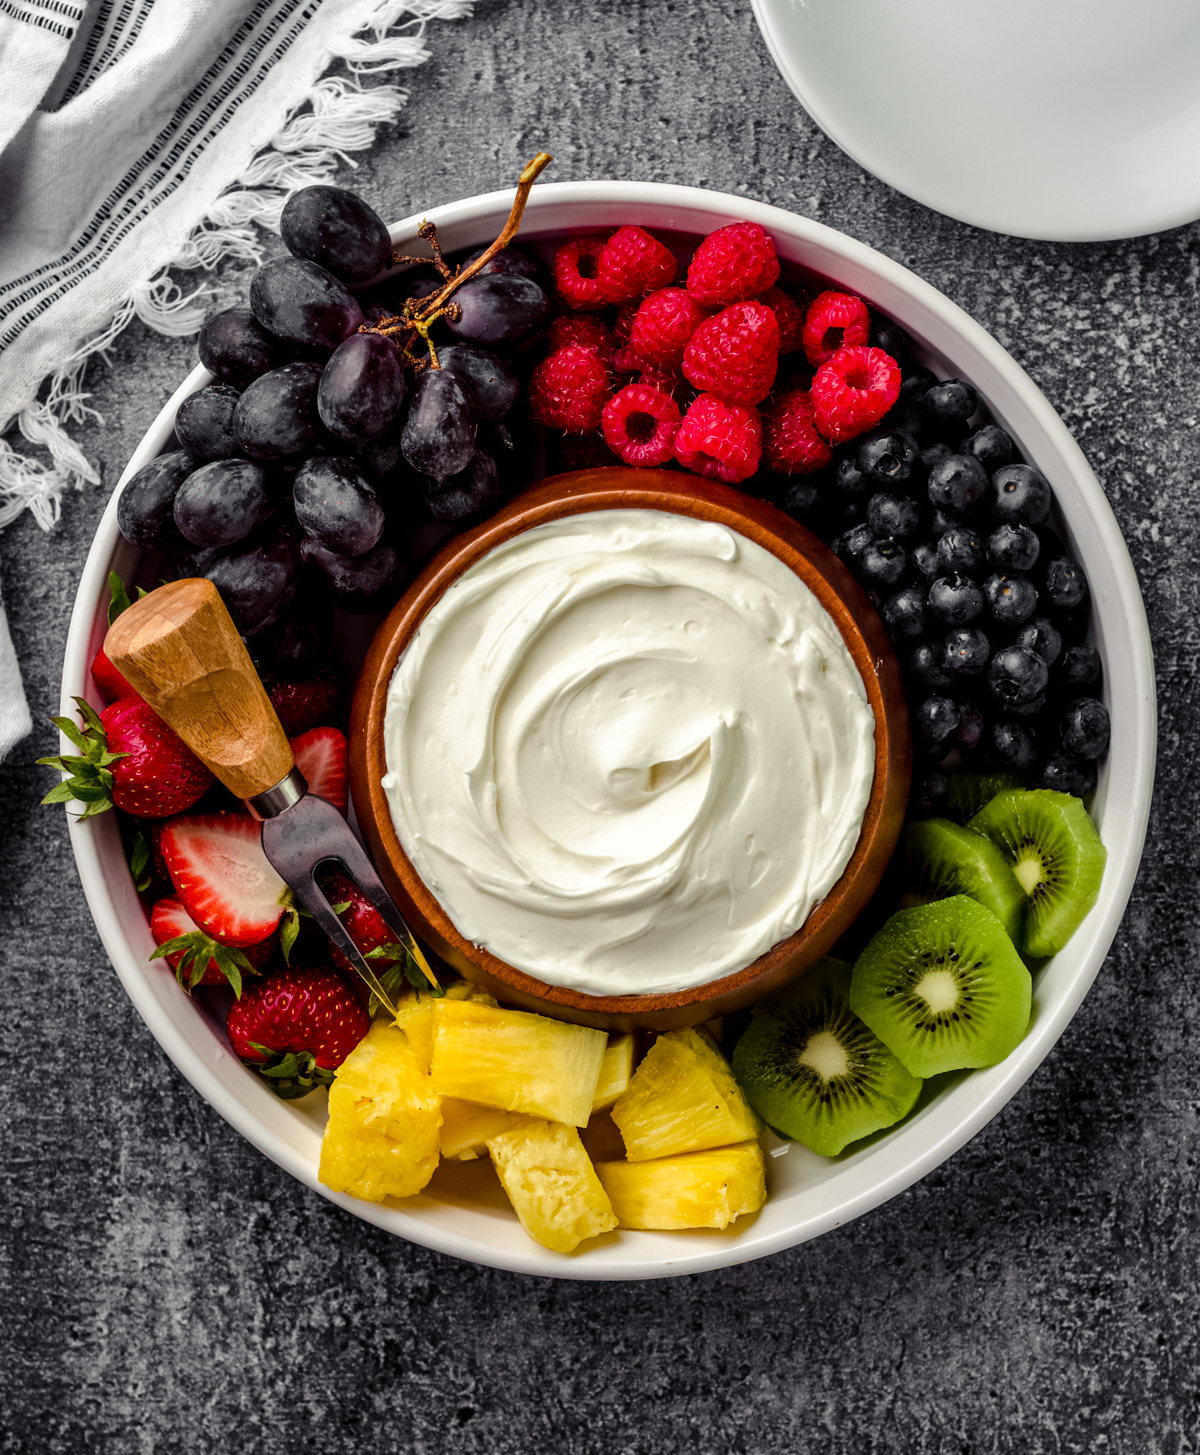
(949, 535)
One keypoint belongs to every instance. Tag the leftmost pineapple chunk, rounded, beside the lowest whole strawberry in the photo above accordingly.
(382, 1139)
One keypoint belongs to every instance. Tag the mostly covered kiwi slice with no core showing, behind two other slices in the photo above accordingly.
(946, 861)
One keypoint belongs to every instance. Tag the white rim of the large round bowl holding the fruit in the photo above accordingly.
(910, 1152)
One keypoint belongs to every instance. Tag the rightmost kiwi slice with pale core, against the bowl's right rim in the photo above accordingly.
(1057, 856)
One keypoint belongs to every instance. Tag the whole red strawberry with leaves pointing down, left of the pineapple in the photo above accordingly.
(296, 1028)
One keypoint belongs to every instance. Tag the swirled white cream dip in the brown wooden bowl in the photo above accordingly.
(628, 752)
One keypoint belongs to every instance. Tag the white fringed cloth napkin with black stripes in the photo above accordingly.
(148, 155)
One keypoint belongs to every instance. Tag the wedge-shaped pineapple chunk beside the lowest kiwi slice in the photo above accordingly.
(683, 1099)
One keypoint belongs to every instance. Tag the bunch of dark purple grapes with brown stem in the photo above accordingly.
(344, 431)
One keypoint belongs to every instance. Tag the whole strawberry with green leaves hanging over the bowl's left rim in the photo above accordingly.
(129, 759)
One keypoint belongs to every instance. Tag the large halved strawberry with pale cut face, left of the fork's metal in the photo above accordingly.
(225, 880)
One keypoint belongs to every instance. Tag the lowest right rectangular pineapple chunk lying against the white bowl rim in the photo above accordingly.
(697, 1191)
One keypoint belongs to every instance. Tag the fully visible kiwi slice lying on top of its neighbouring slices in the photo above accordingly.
(943, 987)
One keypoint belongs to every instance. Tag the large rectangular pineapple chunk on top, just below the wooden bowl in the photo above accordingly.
(517, 1061)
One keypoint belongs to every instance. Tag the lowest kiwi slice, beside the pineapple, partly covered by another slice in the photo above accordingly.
(811, 1069)
